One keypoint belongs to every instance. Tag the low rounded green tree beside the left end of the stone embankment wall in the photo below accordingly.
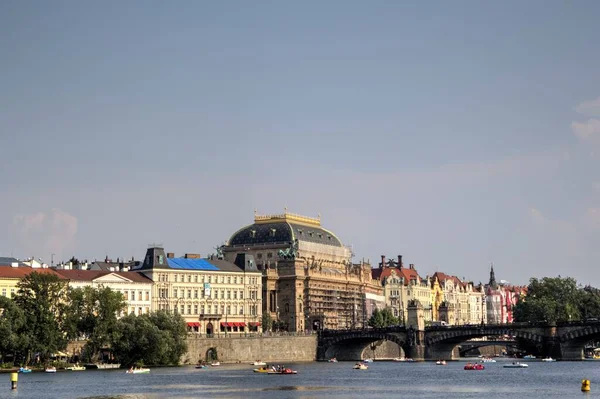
(154, 339)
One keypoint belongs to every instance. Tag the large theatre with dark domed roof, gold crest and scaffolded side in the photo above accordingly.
(309, 280)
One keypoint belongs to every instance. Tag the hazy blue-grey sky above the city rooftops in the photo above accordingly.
(454, 133)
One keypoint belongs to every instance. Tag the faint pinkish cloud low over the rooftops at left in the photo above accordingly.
(42, 234)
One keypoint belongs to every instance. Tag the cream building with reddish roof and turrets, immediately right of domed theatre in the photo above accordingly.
(401, 285)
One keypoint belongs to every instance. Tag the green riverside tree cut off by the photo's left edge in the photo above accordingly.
(12, 320)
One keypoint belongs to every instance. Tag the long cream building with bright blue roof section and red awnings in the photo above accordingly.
(214, 296)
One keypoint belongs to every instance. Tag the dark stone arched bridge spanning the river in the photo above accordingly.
(561, 341)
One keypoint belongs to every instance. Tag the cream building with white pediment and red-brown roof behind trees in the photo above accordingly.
(135, 287)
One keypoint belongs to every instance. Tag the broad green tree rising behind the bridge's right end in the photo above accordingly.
(551, 299)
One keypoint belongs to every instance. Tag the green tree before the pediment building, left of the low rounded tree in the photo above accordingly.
(93, 314)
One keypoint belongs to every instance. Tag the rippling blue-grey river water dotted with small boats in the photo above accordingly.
(318, 380)
